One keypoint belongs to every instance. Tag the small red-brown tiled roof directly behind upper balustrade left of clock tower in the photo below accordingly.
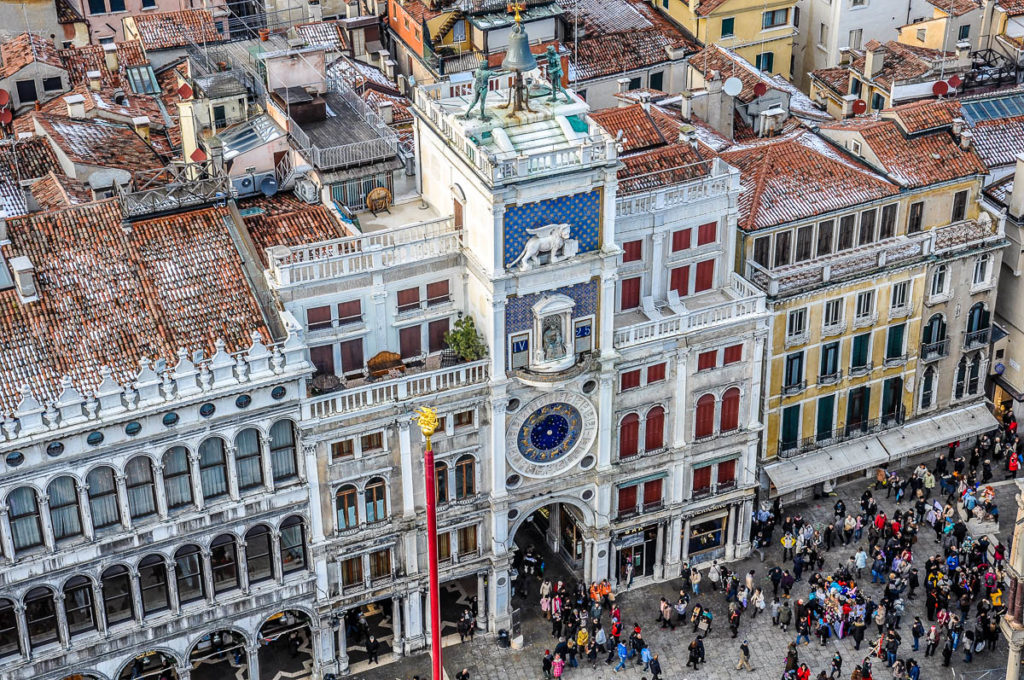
(284, 221)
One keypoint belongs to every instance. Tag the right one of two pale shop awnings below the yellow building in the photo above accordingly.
(930, 434)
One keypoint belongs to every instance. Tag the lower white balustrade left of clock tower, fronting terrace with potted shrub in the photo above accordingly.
(392, 391)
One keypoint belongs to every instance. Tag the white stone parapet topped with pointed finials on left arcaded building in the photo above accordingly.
(155, 388)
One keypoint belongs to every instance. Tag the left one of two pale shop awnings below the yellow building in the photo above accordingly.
(825, 464)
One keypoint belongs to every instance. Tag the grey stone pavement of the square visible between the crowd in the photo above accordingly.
(486, 661)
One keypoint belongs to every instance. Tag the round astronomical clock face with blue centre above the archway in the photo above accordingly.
(551, 434)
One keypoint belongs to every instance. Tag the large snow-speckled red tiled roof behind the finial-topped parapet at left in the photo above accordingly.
(109, 296)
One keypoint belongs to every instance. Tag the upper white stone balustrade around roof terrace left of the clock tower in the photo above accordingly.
(370, 252)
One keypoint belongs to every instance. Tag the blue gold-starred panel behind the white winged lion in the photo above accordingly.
(583, 211)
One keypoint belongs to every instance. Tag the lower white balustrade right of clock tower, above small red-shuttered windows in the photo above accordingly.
(749, 303)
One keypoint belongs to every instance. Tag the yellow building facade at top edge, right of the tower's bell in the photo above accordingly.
(761, 32)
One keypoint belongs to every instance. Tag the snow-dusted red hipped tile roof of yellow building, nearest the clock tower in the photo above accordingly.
(796, 177)
